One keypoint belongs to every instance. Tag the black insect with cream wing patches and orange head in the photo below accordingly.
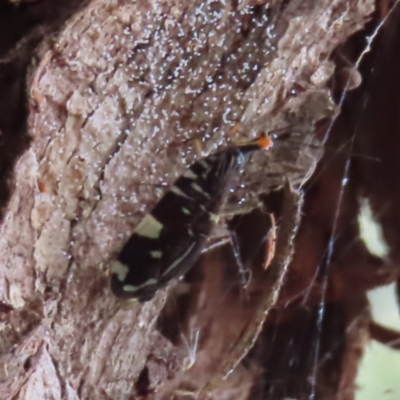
(169, 239)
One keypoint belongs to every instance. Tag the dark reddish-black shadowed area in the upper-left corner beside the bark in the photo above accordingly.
(23, 25)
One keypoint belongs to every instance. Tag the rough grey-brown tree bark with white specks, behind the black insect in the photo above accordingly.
(115, 104)
